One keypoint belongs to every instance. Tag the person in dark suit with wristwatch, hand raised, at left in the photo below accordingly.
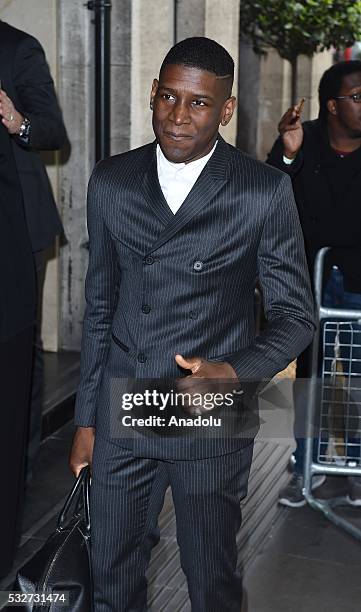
(30, 112)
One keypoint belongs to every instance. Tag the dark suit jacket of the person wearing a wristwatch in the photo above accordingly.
(26, 79)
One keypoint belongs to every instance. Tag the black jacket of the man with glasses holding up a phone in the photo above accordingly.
(327, 190)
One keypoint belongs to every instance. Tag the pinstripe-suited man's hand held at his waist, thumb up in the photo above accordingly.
(206, 377)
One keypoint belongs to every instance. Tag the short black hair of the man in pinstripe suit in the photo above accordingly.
(203, 53)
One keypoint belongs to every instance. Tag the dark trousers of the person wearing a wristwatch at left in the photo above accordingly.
(37, 376)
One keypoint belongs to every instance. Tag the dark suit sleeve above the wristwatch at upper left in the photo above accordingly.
(36, 92)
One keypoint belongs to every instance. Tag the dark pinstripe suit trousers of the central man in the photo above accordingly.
(127, 495)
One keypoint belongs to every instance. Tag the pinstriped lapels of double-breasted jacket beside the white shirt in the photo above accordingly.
(211, 180)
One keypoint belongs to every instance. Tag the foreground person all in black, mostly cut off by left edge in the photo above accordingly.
(17, 317)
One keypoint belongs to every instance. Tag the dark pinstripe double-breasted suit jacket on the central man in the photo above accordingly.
(160, 284)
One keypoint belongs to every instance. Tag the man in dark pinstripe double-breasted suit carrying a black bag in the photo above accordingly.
(180, 230)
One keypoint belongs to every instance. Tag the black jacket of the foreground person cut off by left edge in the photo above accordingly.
(17, 296)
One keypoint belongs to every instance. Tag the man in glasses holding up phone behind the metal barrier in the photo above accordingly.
(323, 157)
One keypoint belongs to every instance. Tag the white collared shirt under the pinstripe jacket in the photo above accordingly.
(176, 180)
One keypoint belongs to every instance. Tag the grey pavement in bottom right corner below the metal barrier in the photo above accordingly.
(308, 564)
